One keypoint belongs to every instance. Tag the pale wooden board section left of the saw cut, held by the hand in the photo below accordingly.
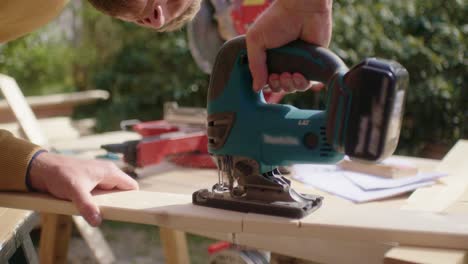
(162, 209)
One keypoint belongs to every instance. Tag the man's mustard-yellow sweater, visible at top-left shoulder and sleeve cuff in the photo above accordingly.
(18, 18)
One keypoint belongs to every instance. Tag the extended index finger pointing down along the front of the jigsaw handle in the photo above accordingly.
(257, 61)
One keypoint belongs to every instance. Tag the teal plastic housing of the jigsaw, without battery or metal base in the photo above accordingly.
(271, 134)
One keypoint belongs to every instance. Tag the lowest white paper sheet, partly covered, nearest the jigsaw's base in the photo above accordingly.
(331, 179)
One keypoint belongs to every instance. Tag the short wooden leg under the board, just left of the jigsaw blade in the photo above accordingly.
(174, 244)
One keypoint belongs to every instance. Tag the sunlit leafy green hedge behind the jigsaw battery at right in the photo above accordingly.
(429, 38)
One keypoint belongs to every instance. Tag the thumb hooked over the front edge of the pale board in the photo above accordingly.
(83, 200)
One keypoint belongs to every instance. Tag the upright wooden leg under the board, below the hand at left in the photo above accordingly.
(55, 237)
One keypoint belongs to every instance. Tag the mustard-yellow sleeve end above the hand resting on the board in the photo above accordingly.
(15, 155)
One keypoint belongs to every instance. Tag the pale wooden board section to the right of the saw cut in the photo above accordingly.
(370, 225)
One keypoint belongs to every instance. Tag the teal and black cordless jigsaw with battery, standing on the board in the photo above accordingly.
(249, 139)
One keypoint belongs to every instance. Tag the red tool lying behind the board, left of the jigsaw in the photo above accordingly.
(183, 144)
